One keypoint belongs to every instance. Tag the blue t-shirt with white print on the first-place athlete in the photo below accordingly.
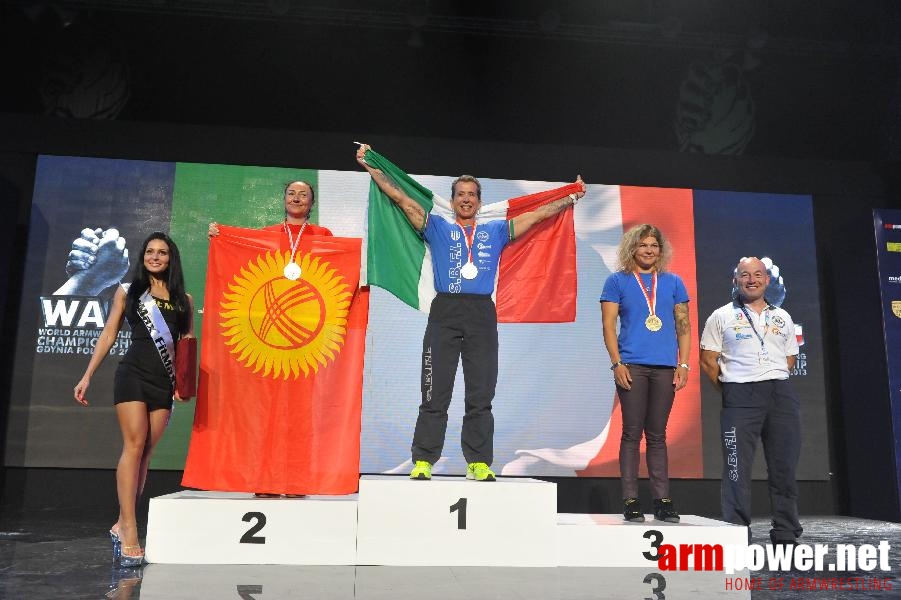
(449, 254)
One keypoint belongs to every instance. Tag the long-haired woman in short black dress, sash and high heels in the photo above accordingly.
(144, 391)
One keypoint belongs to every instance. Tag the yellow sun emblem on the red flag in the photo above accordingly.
(282, 328)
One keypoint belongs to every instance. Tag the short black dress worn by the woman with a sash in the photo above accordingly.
(141, 375)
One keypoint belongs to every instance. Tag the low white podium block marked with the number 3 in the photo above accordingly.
(594, 540)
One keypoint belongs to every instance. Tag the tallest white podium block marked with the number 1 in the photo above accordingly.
(451, 521)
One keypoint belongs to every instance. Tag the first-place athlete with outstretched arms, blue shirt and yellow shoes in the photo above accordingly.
(462, 317)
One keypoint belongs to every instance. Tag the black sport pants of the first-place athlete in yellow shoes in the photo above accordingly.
(459, 325)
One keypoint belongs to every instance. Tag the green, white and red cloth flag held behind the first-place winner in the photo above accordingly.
(537, 274)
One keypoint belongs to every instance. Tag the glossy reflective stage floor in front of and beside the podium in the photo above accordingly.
(55, 554)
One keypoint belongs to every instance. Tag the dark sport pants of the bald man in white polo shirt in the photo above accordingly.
(769, 411)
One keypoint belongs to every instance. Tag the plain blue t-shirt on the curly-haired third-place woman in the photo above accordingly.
(637, 344)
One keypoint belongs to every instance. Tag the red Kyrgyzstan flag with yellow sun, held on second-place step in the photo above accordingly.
(281, 367)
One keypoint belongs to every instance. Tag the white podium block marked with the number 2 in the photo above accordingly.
(235, 528)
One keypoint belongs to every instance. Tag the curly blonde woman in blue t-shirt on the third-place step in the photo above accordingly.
(649, 359)
